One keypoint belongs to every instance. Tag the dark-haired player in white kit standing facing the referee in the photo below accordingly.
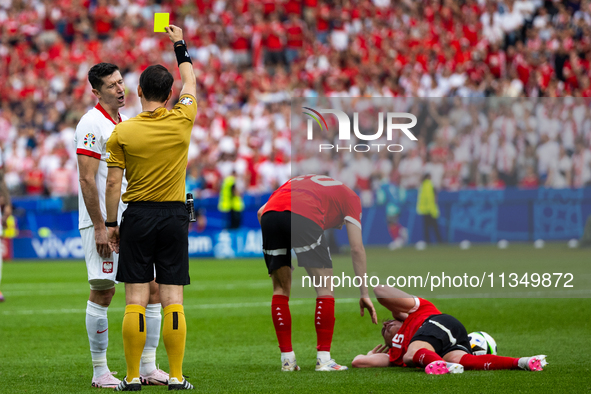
(91, 137)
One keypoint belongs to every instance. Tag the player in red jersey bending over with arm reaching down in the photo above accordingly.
(319, 203)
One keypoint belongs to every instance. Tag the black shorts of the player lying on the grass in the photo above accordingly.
(445, 333)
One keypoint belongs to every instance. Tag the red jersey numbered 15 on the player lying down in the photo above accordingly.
(409, 328)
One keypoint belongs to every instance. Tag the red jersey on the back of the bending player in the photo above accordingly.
(319, 198)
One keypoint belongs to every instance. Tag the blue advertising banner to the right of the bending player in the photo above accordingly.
(486, 216)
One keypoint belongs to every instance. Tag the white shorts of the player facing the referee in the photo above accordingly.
(101, 272)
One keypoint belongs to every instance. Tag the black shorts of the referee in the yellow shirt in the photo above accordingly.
(154, 234)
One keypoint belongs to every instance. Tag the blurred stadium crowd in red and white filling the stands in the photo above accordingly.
(252, 56)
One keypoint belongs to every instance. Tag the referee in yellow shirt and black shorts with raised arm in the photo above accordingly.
(152, 149)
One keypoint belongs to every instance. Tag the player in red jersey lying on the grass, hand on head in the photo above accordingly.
(421, 336)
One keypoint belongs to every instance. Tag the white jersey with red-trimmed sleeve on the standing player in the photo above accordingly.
(92, 133)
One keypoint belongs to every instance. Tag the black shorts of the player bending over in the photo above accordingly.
(283, 231)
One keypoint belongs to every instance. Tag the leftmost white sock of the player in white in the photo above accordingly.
(97, 327)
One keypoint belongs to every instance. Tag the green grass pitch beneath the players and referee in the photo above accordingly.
(231, 344)
